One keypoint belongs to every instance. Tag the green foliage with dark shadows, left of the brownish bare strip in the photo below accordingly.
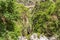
(10, 15)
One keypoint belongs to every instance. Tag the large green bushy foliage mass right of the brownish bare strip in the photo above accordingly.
(45, 19)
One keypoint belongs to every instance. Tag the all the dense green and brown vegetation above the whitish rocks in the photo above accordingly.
(16, 19)
